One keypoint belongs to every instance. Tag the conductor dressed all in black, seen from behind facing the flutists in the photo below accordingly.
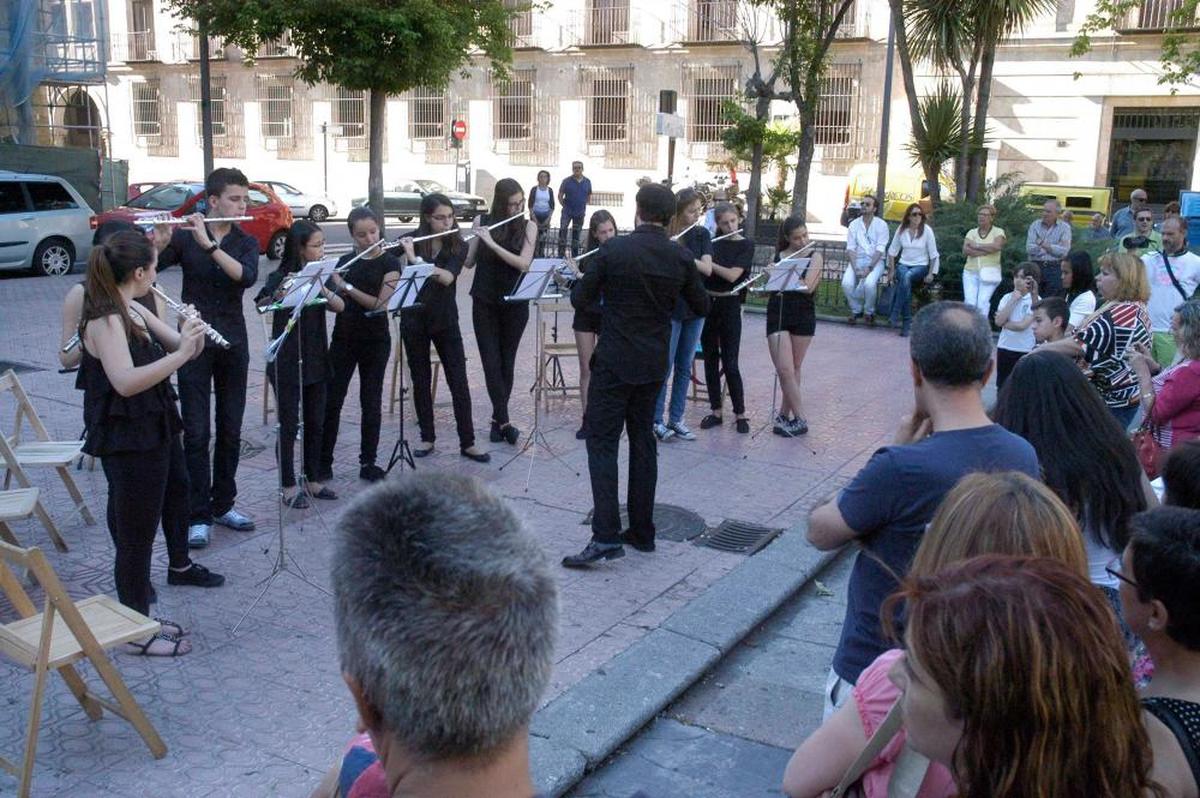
(639, 278)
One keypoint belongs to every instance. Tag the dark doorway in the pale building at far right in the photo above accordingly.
(1154, 149)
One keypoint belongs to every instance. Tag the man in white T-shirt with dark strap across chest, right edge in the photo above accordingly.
(1167, 293)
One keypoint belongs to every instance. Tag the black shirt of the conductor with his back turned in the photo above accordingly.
(640, 278)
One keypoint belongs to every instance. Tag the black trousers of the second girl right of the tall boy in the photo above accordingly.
(371, 361)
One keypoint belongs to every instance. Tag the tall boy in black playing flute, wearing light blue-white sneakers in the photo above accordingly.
(220, 262)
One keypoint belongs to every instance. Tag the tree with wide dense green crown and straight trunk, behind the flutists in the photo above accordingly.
(383, 47)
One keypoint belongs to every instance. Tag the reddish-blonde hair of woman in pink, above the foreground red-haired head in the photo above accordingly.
(1005, 513)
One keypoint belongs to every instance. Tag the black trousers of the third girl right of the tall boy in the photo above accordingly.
(448, 341)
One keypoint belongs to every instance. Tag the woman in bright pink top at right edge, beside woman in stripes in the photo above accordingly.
(1171, 400)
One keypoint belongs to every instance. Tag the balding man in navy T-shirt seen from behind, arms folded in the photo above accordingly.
(891, 501)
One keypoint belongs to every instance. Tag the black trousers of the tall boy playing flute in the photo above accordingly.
(221, 374)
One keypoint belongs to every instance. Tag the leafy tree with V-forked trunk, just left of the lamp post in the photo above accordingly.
(809, 28)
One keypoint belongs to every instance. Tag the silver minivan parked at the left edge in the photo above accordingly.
(45, 224)
